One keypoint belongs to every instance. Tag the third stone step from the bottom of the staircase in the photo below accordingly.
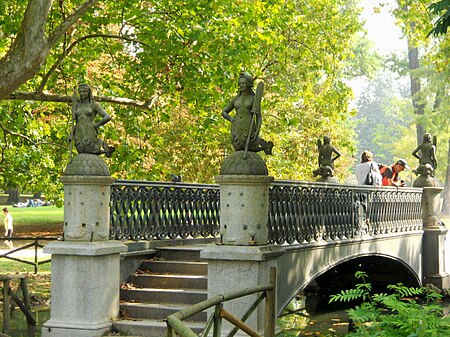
(158, 295)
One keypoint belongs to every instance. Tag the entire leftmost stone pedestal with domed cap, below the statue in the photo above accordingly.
(85, 266)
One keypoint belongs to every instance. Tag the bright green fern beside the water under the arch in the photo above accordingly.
(399, 314)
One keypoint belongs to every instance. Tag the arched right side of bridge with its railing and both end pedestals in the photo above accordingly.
(317, 228)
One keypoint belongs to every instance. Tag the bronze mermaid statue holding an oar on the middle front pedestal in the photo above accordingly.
(246, 124)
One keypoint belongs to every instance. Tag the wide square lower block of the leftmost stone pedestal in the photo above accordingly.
(85, 288)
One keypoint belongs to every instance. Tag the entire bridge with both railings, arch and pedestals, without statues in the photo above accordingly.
(302, 229)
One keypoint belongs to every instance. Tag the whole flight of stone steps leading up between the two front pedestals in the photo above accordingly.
(172, 281)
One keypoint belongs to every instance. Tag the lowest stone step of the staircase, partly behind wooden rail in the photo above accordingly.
(150, 328)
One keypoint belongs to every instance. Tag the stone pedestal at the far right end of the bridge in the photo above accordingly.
(433, 259)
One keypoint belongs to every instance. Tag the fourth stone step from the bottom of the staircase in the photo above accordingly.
(170, 281)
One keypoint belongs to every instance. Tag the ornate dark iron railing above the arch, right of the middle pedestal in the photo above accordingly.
(301, 212)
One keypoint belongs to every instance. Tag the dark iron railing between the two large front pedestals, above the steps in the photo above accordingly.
(152, 210)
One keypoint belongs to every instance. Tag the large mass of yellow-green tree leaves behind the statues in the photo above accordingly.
(181, 60)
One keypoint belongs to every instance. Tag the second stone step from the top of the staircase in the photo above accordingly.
(175, 267)
